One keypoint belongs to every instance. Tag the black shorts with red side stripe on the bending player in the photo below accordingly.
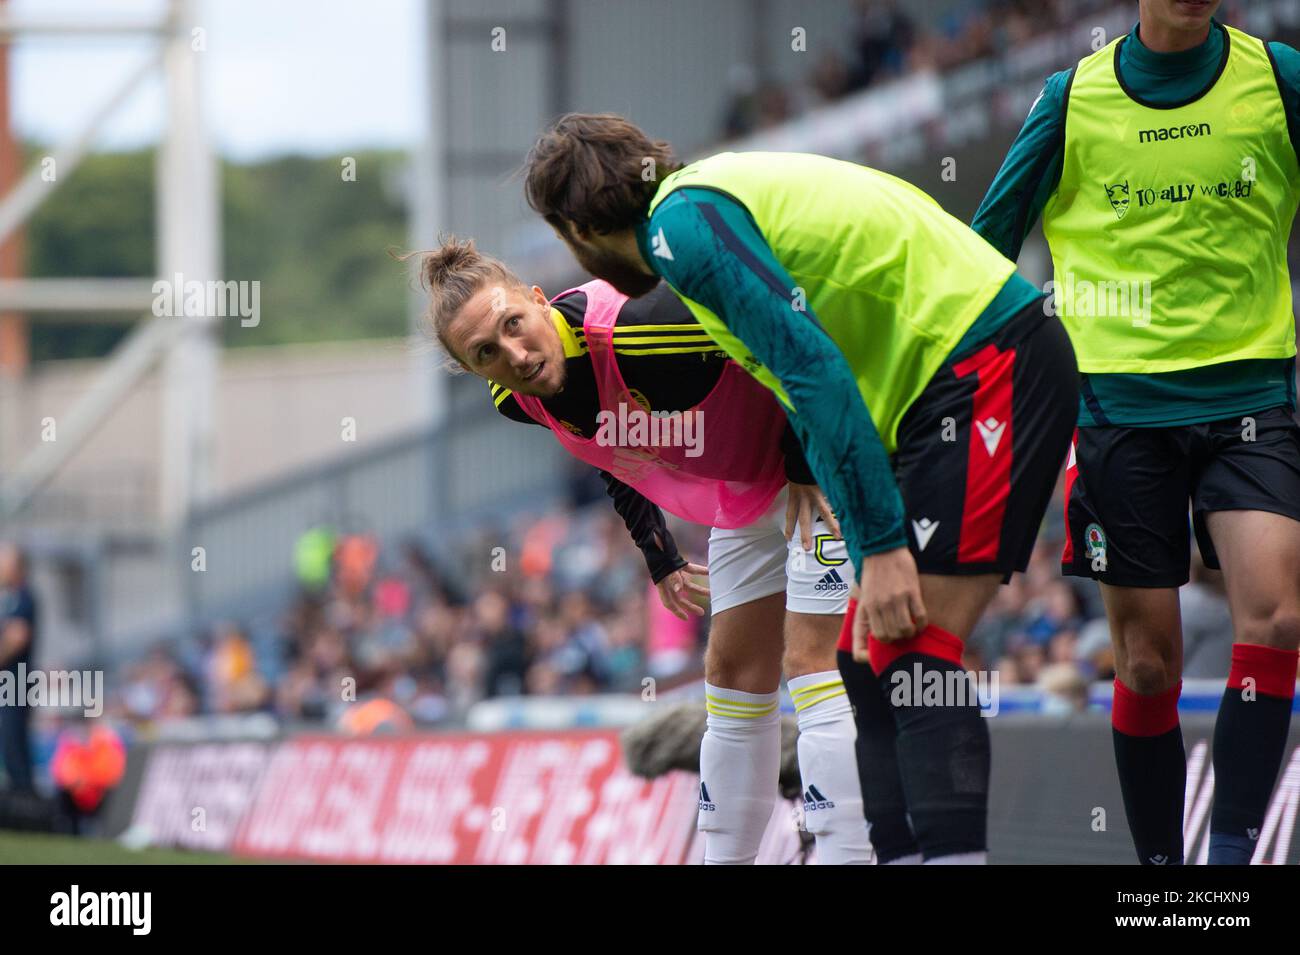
(983, 445)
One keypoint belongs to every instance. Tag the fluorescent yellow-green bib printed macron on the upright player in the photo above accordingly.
(1169, 227)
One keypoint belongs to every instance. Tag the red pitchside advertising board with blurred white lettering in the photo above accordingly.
(514, 798)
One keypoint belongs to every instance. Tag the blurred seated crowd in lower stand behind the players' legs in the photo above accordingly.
(560, 605)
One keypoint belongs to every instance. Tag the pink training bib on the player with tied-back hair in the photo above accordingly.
(718, 465)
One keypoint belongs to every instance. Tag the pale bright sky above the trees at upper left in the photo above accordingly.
(280, 76)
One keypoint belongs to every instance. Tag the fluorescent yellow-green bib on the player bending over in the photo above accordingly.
(894, 280)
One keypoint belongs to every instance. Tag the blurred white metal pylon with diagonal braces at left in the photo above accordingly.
(189, 246)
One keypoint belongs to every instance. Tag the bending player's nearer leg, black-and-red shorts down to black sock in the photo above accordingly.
(980, 454)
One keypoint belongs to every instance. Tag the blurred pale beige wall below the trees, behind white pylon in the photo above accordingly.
(278, 409)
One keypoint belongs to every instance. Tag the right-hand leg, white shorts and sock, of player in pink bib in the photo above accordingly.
(816, 604)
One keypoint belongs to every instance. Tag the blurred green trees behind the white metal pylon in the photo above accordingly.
(317, 242)
